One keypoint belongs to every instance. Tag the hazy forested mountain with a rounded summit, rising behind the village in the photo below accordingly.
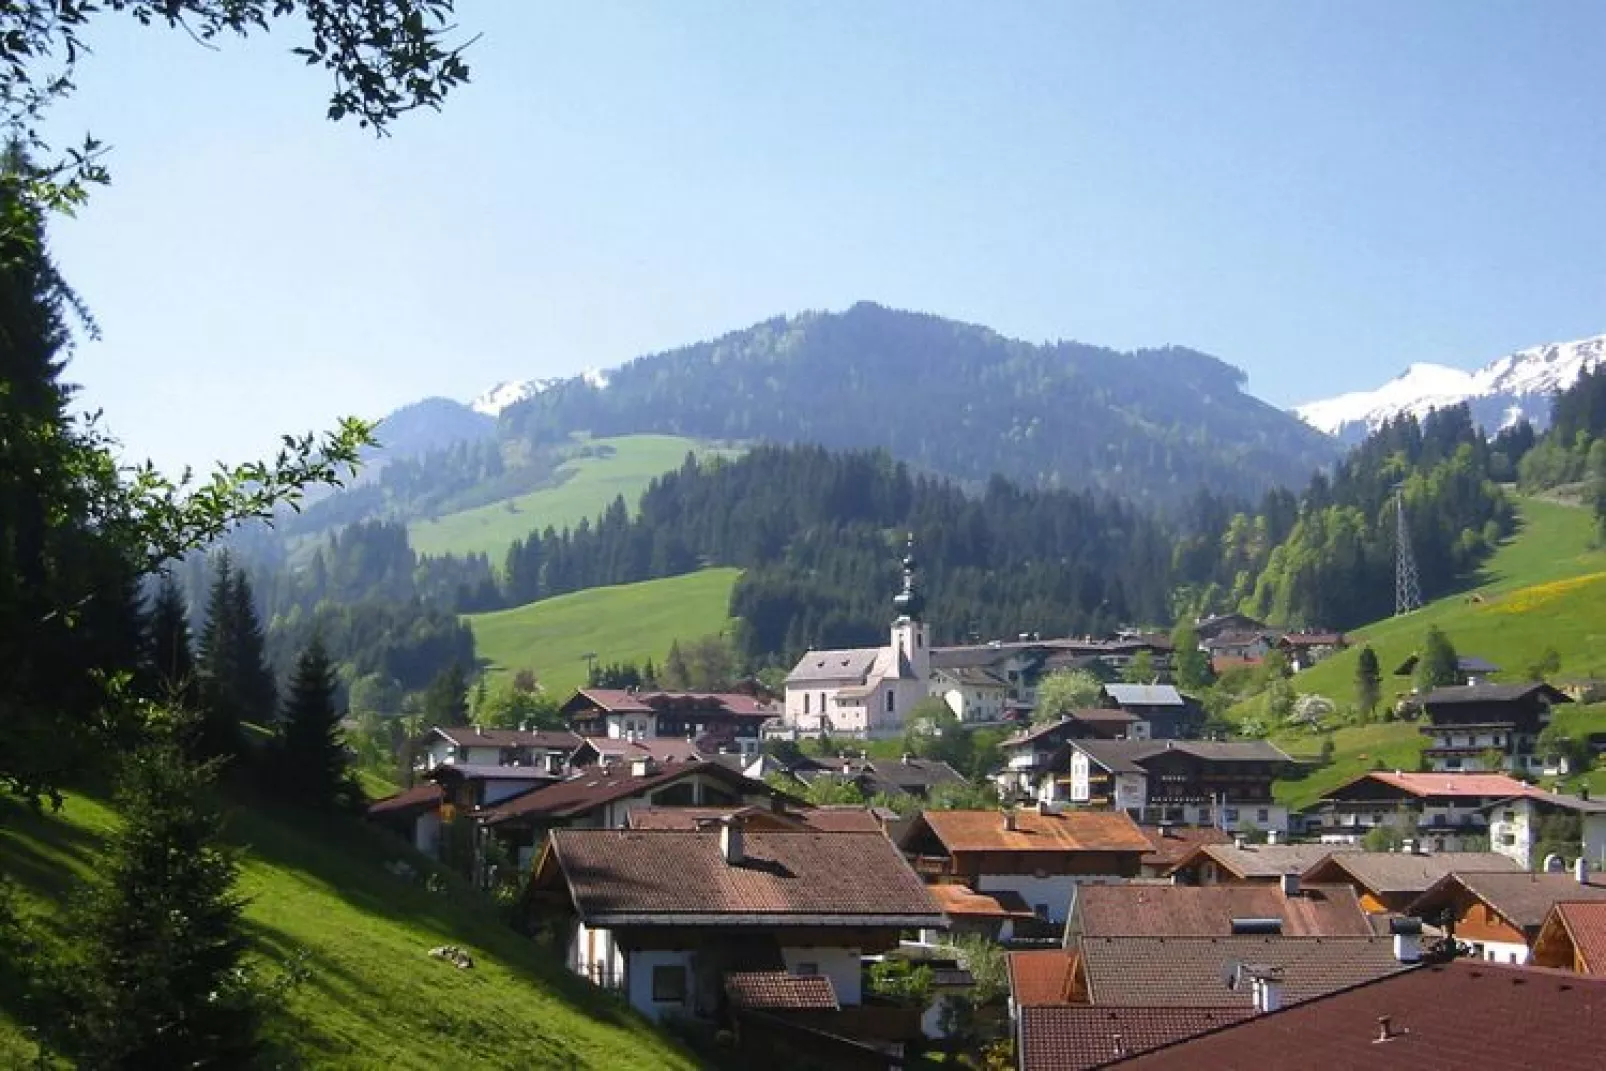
(953, 399)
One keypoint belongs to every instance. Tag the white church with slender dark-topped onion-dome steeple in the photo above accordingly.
(865, 691)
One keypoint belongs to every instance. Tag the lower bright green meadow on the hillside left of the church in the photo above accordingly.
(621, 624)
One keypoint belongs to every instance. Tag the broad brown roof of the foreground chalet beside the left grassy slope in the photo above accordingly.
(666, 878)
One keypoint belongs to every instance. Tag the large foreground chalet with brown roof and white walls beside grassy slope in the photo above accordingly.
(669, 918)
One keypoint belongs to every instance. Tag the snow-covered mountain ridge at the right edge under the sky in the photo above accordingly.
(1499, 394)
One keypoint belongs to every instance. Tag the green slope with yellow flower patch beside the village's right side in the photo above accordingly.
(1544, 588)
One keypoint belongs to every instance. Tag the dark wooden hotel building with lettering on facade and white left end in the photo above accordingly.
(1189, 783)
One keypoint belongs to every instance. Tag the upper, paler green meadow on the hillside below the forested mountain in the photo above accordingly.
(585, 489)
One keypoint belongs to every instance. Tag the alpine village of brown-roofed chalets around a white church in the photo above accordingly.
(1136, 895)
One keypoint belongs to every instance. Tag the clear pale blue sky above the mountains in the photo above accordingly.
(1316, 192)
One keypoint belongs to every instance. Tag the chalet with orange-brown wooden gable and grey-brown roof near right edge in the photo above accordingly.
(1501, 913)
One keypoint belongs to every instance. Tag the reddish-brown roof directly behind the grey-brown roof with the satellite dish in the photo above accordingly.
(1183, 911)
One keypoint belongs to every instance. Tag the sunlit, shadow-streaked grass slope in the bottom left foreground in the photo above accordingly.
(373, 1000)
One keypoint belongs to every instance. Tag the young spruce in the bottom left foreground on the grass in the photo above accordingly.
(158, 980)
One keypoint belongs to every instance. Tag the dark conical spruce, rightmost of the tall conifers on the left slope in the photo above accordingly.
(312, 749)
